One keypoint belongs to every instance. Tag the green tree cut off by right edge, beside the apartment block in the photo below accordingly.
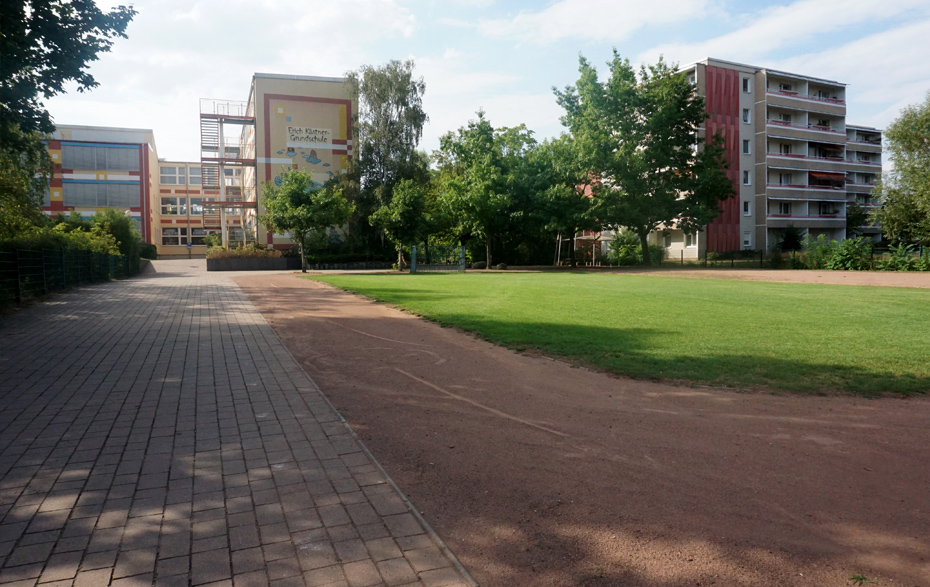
(904, 192)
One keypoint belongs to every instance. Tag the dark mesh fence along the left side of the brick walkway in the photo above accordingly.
(26, 274)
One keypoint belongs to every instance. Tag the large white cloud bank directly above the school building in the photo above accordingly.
(182, 50)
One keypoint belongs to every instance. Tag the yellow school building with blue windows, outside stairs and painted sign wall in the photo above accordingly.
(287, 122)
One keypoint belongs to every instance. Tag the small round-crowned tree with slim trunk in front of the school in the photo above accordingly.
(301, 208)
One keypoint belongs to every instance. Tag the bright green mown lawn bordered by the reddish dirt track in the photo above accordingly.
(798, 337)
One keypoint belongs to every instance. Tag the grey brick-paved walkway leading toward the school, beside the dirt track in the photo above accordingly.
(156, 431)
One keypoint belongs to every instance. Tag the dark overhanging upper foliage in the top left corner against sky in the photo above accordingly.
(46, 44)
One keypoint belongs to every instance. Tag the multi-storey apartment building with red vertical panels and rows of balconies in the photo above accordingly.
(794, 160)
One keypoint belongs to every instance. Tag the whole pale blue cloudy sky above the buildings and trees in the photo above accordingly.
(504, 57)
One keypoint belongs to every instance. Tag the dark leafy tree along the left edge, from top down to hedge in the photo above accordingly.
(44, 45)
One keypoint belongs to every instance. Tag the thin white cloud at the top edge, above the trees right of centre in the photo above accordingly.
(600, 20)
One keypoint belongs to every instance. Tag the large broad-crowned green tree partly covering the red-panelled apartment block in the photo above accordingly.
(639, 134)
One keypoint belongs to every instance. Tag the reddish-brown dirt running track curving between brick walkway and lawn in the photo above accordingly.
(537, 474)
